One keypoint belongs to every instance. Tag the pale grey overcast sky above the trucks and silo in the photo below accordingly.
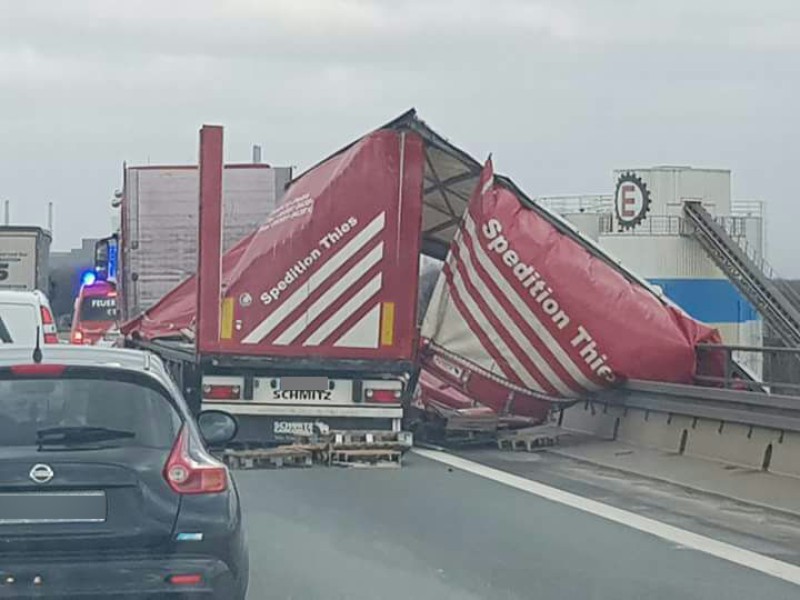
(561, 91)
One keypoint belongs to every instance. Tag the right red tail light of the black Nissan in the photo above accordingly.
(191, 470)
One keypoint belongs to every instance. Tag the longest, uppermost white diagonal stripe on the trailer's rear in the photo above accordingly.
(316, 279)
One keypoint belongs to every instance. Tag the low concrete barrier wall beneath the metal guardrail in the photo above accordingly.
(746, 446)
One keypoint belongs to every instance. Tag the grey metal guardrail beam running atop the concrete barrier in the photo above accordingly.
(755, 409)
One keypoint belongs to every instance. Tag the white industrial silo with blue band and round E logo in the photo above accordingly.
(647, 231)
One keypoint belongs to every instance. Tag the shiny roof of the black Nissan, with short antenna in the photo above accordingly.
(73, 355)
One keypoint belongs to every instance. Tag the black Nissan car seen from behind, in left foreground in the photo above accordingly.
(107, 488)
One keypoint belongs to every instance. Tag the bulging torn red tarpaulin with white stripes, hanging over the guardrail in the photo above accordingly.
(520, 302)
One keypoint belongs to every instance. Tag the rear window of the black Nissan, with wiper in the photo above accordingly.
(78, 411)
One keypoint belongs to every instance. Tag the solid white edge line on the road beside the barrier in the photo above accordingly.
(686, 539)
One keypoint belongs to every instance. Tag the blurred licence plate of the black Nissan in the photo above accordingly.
(52, 507)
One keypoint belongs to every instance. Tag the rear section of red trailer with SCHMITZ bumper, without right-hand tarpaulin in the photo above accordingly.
(309, 323)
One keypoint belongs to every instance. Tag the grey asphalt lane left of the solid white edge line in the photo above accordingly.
(426, 531)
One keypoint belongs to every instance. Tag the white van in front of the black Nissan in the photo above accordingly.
(21, 313)
